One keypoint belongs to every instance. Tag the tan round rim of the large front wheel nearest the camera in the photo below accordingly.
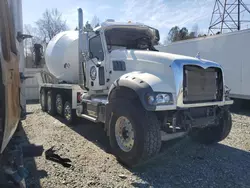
(124, 134)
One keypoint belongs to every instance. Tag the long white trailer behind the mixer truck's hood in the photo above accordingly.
(231, 50)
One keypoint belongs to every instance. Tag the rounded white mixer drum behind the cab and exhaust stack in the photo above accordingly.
(61, 56)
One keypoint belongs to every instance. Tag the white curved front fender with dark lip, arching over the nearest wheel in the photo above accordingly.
(142, 83)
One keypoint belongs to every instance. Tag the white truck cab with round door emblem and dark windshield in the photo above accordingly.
(110, 47)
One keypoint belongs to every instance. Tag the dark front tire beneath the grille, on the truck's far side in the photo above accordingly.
(211, 135)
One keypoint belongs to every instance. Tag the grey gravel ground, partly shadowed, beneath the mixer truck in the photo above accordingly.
(180, 164)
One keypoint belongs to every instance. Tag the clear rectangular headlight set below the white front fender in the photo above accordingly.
(159, 99)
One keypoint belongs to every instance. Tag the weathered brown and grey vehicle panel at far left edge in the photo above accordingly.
(9, 77)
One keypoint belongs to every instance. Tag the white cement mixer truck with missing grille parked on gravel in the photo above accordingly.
(115, 76)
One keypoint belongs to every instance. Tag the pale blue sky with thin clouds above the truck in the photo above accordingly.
(161, 14)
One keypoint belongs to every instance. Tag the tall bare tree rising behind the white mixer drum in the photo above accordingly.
(51, 24)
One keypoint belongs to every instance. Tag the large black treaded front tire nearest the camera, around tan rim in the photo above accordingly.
(147, 137)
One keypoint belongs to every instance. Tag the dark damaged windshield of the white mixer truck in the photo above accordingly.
(139, 38)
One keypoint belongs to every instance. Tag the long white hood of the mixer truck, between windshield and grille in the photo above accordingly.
(157, 64)
